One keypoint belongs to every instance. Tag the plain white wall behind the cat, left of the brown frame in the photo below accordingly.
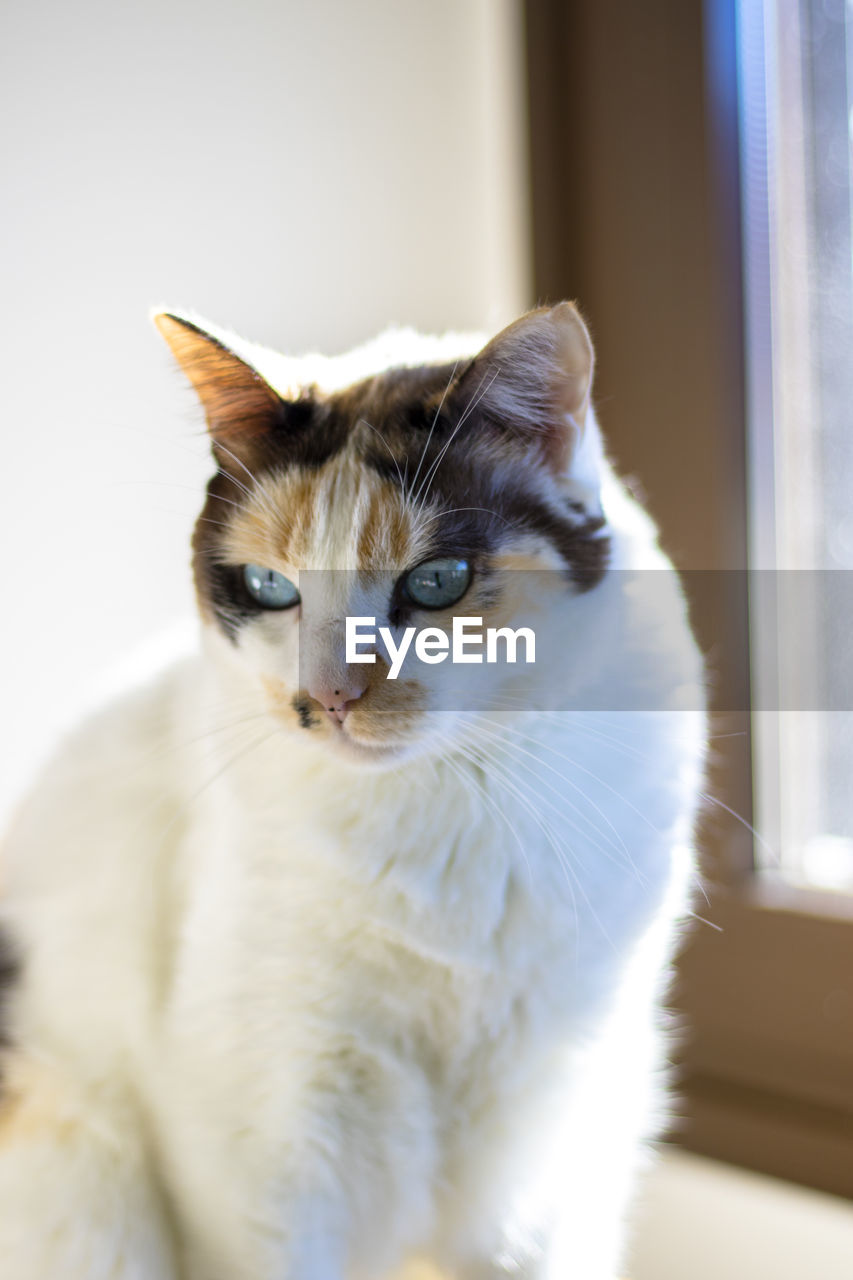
(303, 172)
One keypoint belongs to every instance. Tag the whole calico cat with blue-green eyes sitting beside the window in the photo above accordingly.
(314, 975)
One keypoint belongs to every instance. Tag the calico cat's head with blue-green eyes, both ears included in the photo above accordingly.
(402, 484)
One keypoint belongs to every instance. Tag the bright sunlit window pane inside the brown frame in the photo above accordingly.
(796, 145)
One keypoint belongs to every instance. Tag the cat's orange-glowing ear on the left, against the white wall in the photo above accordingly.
(239, 404)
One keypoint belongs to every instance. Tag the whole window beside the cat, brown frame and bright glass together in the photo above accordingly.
(726, 365)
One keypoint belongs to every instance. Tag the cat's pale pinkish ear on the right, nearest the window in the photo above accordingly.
(536, 378)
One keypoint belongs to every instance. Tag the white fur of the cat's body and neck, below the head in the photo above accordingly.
(285, 1017)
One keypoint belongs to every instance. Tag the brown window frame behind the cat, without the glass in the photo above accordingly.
(635, 145)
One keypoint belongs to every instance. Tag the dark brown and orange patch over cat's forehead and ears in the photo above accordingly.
(398, 468)
